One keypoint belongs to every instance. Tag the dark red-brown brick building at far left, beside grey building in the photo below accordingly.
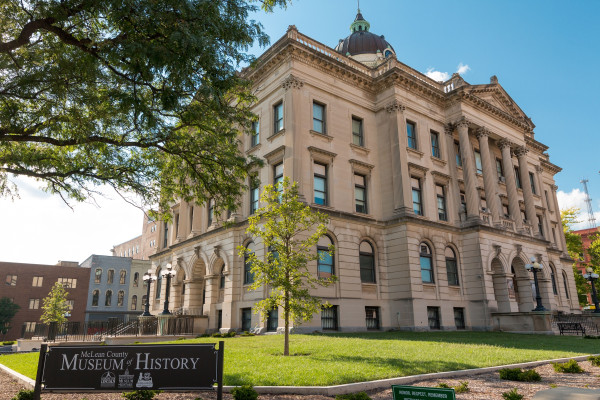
(28, 284)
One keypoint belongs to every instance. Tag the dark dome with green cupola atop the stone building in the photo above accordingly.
(363, 42)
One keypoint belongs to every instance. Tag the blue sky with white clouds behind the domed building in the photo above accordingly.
(544, 54)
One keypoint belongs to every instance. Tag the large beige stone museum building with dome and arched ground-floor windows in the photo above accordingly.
(439, 195)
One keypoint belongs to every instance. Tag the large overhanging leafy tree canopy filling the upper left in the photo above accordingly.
(141, 95)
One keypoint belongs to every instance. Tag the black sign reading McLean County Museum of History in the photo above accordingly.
(136, 367)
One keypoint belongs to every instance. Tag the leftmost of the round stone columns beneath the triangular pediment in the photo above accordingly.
(470, 177)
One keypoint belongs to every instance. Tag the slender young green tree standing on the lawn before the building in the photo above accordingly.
(291, 230)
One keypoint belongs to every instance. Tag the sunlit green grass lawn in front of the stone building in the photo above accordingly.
(330, 359)
